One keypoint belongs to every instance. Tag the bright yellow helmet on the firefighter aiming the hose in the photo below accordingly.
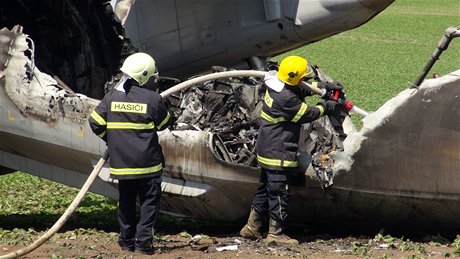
(292, 69)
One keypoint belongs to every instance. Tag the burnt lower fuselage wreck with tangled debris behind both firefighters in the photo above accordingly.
(379, 178)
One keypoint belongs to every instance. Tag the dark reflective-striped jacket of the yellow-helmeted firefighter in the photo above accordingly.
(282, 115)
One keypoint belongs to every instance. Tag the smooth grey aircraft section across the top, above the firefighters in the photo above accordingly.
(237, 33)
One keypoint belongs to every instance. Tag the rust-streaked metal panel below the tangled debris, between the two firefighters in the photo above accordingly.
(191, 157)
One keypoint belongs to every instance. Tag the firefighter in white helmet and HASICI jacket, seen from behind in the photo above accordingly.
(128, 119)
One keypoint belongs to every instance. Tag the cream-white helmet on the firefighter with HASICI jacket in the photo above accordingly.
(140, 67)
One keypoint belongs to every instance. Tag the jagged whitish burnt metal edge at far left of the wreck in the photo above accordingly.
(35, 93)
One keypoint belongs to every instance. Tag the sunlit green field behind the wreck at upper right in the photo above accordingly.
(386, 55)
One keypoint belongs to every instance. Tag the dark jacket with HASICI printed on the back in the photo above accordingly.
(129, 122)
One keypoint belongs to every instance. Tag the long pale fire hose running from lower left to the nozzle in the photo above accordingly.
(73, 206)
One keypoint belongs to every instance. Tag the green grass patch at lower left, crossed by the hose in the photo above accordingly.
(27, 200)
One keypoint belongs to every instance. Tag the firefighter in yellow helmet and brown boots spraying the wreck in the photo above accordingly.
(283, 111)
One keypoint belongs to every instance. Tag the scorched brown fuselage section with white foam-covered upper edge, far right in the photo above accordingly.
(403, 168)
